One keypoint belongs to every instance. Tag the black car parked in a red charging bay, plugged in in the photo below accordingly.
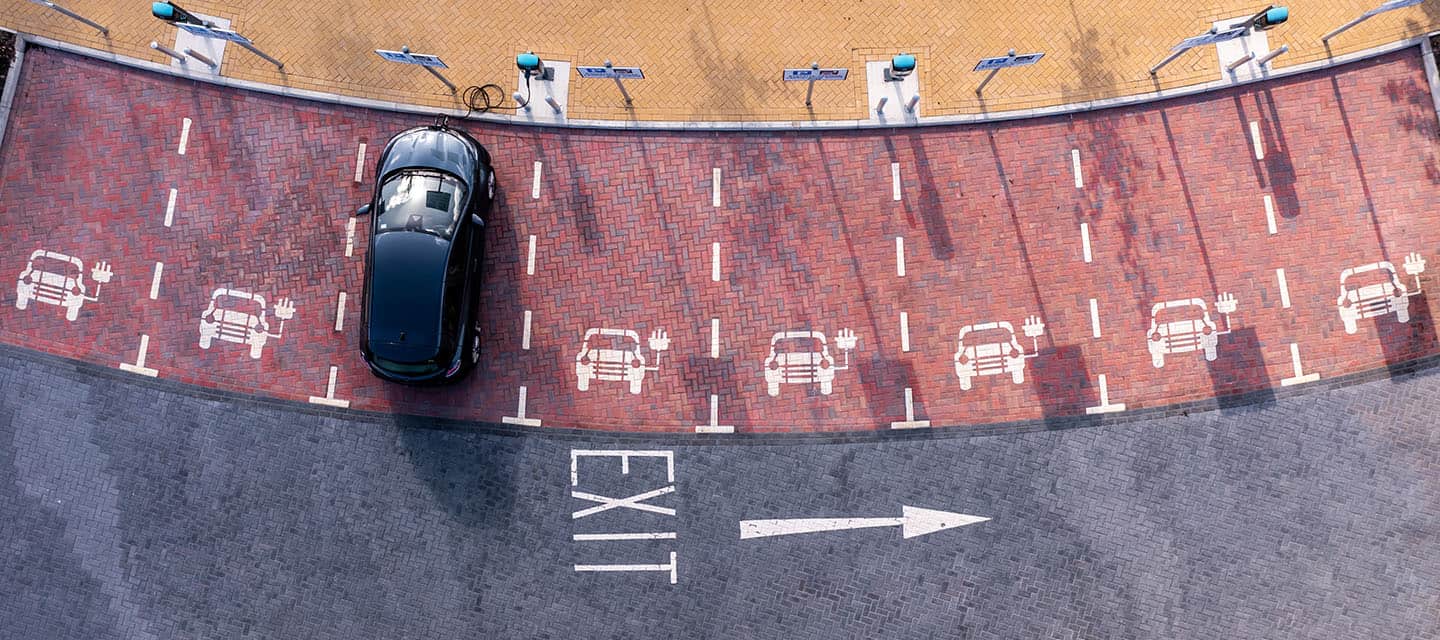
(423, 275)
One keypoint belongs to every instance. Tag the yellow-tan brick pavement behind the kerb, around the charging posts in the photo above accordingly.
(721, 60)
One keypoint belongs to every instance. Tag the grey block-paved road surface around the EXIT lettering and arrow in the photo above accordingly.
(138, 510)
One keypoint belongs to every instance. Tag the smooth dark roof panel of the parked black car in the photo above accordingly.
(407, 296)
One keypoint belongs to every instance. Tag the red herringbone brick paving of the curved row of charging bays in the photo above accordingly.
(1173, 195)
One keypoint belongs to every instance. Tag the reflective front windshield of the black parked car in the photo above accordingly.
(421, 201)
